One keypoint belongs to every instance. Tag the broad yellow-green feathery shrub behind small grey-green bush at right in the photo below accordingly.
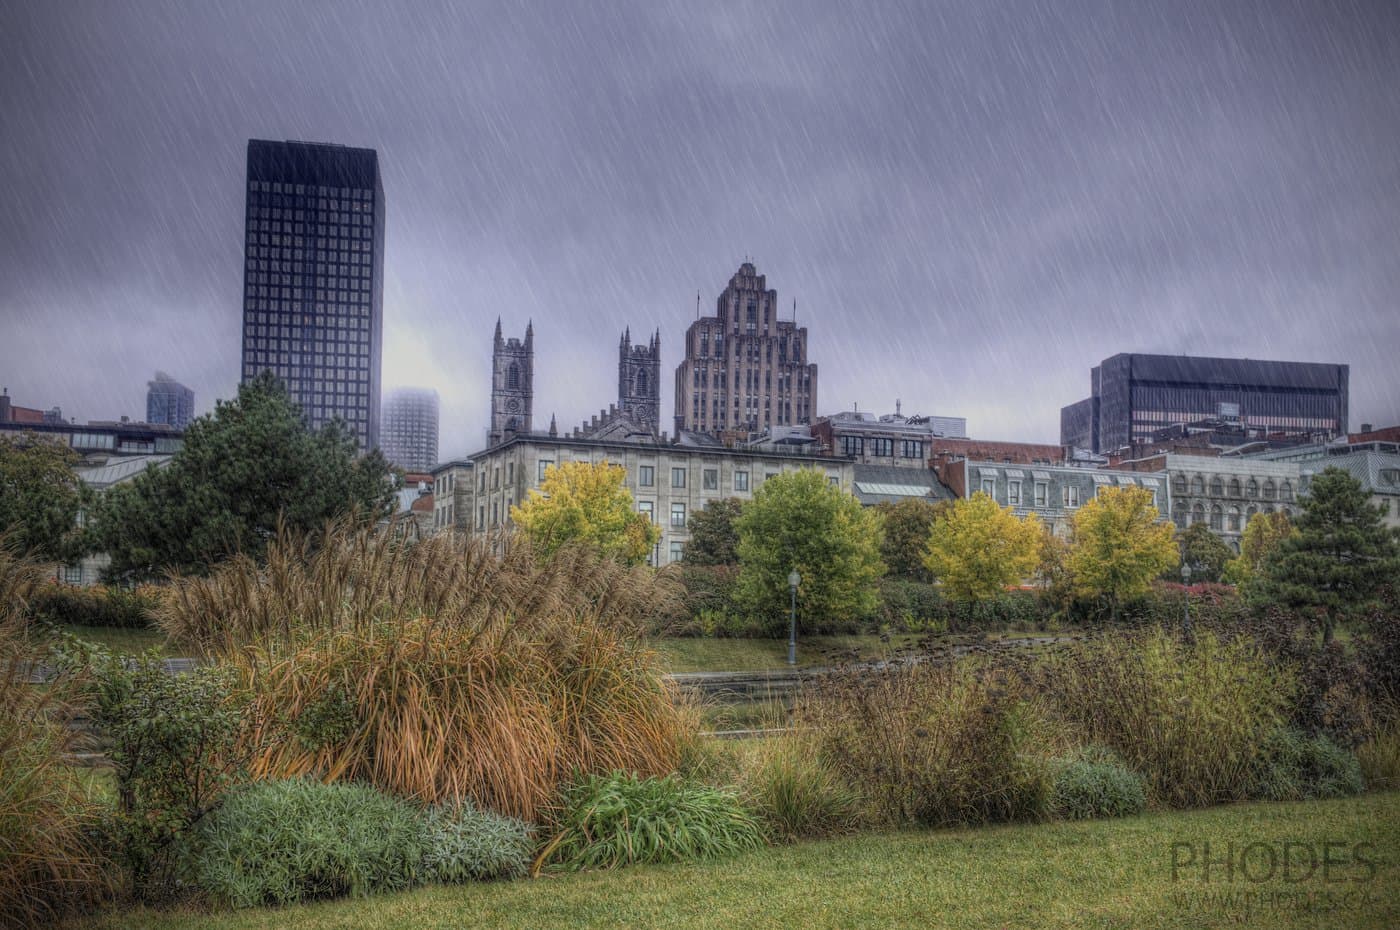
(1191, 718)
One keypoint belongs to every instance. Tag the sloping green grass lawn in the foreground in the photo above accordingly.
(1100, 875)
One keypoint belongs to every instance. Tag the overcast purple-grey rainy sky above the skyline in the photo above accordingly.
(971, 202)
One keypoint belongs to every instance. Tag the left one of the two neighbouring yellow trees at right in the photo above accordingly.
(979, 547)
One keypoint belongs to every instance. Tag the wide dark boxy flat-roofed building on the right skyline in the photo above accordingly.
(1135, 396)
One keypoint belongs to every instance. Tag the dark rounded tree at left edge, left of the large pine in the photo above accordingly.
(41, 497)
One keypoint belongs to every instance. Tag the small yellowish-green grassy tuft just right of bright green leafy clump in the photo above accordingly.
(796, 793)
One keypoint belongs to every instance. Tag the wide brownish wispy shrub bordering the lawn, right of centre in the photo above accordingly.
(933, 743)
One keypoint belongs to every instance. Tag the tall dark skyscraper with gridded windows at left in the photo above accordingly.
(314, 278)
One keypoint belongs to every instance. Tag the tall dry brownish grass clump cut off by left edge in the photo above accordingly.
(48, 861)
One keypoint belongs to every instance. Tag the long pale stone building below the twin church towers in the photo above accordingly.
(668, 483)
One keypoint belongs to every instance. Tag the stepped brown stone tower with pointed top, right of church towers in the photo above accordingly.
(745, 370)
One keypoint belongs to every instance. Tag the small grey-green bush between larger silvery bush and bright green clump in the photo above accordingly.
(463, 844)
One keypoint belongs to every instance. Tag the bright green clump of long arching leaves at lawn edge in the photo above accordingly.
(621, 820)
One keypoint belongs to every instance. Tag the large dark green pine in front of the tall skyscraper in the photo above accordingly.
(243, 470)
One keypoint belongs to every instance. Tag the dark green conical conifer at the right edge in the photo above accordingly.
(1340, 558)
